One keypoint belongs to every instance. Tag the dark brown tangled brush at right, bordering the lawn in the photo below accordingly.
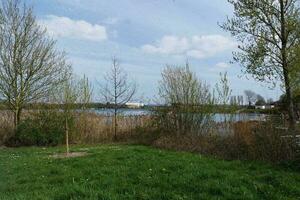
(246, 141)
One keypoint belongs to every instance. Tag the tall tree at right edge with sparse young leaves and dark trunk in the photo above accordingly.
(269, 34)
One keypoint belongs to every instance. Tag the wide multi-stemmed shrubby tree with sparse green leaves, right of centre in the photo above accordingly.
(188, 101)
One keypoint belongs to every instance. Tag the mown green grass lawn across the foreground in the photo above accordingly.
(137, 172)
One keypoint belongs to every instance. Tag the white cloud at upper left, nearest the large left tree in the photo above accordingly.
(76, 29)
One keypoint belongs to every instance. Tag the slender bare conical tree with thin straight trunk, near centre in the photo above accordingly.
(117, 90)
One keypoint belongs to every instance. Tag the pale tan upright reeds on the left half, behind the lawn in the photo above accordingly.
(89, 128)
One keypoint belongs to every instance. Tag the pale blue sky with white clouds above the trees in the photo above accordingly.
(145, 35)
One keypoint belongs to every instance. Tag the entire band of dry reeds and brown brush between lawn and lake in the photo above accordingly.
(251, 140)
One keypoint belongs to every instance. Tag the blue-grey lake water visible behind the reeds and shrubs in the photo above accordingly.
(216, 117)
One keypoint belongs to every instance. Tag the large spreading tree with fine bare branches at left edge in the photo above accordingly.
(29, 63)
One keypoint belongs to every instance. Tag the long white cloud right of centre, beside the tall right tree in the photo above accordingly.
(198, 47)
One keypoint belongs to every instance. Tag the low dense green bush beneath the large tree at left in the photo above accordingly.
(46, 128)
